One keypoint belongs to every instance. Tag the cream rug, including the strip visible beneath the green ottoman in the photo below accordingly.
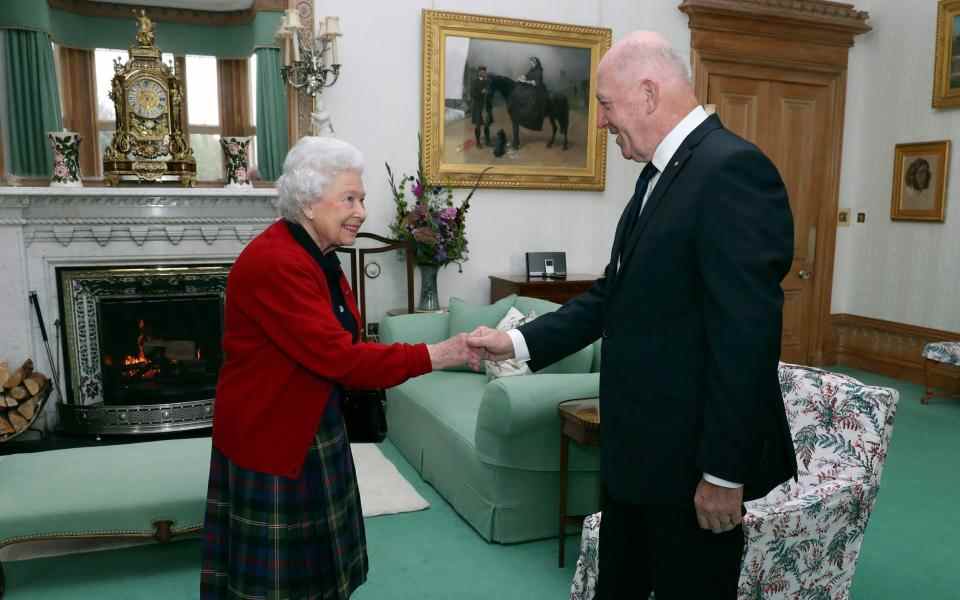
(383, 491)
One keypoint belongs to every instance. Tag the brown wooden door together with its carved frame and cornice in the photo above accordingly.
(776, 71)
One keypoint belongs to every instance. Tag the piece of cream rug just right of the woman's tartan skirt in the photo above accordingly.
(383, 490)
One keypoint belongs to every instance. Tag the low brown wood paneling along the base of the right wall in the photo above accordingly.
(890, 348)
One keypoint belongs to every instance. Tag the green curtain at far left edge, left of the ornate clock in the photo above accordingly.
(33, 102)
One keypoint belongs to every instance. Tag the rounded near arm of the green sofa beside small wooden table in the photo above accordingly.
(518, 425)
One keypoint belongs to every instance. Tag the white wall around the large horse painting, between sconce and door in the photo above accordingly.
(376, 105)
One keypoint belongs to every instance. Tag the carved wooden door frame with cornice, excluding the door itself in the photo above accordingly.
(807, 43)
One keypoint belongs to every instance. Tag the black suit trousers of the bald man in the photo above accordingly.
(661, 548)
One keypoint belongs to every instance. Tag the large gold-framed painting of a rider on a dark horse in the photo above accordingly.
(518, 96)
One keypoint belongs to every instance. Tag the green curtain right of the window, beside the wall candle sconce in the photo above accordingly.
(272, 140)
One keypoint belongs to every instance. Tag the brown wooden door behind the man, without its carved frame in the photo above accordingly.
(789, 121)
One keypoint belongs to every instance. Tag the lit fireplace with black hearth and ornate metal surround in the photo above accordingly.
(142, 347)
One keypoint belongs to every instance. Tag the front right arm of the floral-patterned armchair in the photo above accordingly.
(807, 542)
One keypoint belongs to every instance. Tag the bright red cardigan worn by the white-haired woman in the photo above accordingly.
(283, 352)
